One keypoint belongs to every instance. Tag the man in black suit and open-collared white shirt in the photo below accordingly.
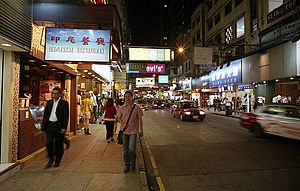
(55, 121)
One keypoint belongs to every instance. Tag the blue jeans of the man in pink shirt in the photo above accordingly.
(129, 142)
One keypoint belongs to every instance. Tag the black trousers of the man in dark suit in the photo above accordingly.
(54, 142)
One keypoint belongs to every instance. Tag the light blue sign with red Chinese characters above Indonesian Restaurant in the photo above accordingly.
(64, 44)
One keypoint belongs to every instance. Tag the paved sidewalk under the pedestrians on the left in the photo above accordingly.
(89, 164)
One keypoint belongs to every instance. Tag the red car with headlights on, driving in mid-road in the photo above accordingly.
(187, 110)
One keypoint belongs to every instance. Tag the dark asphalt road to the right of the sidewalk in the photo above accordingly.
(217, 154)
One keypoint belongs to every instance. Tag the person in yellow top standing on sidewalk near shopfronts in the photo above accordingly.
(86, 112)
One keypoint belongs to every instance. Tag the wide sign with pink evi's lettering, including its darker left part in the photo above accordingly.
(145, 68)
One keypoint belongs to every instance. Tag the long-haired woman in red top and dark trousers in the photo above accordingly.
(109, 118)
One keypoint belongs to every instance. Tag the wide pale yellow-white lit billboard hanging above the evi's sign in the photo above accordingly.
(146, 54)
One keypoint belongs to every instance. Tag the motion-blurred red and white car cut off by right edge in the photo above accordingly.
(277, 119)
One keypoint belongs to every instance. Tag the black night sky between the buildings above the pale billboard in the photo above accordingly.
(145, 19)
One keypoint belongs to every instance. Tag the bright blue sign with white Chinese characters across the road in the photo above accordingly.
(227, 75)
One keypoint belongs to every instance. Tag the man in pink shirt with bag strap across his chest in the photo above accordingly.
(131, 118)
